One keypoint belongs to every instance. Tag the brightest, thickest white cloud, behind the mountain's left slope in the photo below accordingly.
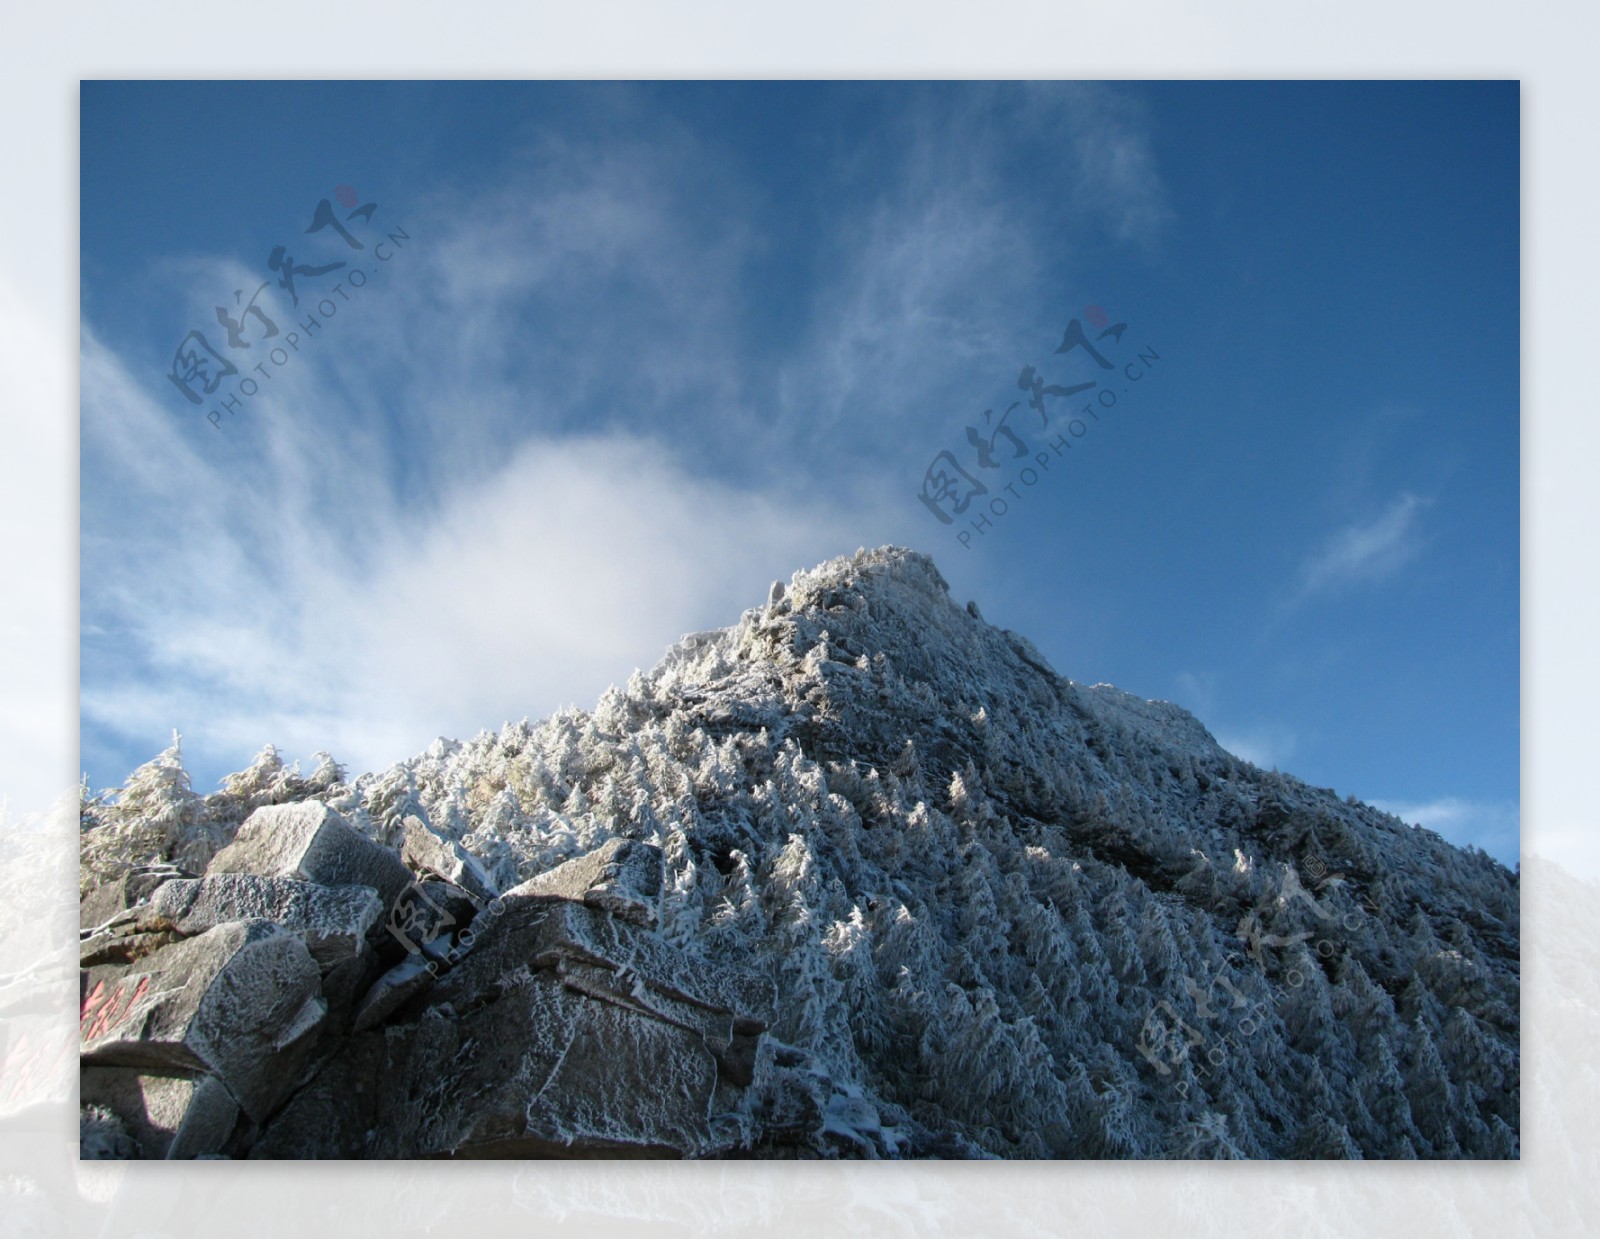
(511, 593)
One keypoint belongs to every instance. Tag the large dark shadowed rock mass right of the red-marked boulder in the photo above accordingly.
(567, 1031)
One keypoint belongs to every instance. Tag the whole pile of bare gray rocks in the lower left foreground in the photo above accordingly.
(242, 1014)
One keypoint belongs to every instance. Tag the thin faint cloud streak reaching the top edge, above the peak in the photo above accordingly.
(946, 284)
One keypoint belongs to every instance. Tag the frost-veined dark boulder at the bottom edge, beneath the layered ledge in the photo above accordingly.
(537, 1071)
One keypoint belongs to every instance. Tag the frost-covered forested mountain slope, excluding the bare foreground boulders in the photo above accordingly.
(1006, 914)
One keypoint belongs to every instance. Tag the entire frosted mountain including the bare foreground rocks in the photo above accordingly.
(857, 878)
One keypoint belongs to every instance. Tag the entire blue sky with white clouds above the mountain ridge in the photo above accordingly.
(646, 348)
